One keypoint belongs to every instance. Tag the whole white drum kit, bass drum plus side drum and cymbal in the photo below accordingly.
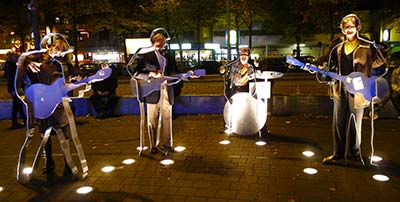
(245, 114)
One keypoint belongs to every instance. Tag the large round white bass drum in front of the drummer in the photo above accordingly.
(245, 114)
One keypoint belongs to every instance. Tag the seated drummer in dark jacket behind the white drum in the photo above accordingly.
(236, 77)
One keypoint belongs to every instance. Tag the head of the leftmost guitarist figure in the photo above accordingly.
(55, 43)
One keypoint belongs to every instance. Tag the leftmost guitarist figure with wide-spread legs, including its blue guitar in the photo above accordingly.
(44, 95)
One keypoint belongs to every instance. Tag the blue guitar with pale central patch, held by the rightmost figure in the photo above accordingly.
(372, 88)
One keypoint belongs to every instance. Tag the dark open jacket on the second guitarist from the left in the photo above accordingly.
(147, 63)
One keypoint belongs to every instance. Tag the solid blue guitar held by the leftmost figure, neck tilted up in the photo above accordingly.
(45, 98)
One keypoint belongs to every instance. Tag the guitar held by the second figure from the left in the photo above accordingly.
(142, 87)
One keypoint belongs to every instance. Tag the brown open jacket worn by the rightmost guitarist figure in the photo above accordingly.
(365, 58)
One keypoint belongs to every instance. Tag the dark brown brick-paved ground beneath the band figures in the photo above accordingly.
(207, 170)
